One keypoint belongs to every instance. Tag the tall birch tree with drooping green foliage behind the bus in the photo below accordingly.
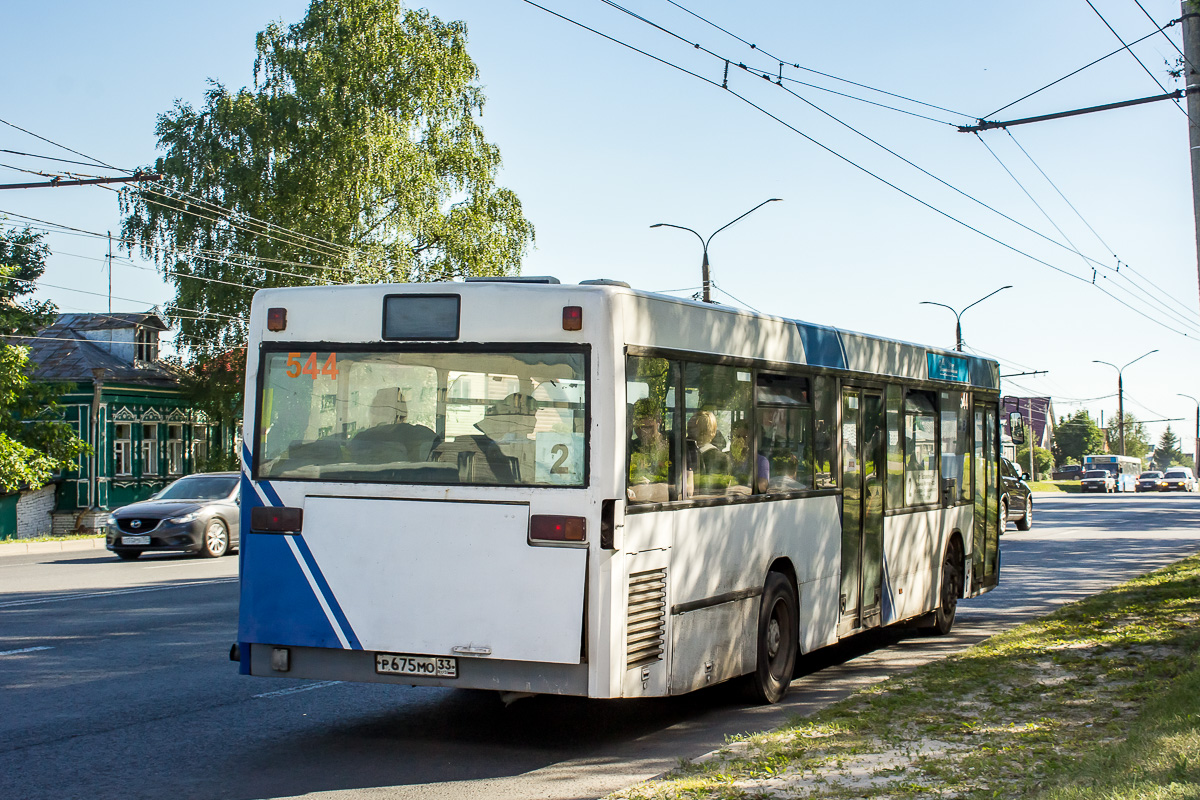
(362, 135)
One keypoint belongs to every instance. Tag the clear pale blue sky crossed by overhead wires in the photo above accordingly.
(599, 142)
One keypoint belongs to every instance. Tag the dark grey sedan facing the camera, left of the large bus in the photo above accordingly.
(197, 514)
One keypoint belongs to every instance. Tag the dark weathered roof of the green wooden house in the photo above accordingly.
(62, 354)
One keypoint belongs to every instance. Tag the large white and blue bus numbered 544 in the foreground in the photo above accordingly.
(593, 491)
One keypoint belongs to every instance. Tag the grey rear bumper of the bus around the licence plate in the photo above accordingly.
(328, 664)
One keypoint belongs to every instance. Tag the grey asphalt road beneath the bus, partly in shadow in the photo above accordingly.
(117, 683)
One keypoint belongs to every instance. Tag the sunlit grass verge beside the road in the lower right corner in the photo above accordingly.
(1100, 701)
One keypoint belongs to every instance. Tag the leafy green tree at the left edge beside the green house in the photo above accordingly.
(34, 441)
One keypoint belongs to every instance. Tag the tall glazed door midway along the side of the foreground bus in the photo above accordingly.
(862, 514)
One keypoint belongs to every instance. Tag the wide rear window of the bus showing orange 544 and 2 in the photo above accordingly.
(511, 419)
